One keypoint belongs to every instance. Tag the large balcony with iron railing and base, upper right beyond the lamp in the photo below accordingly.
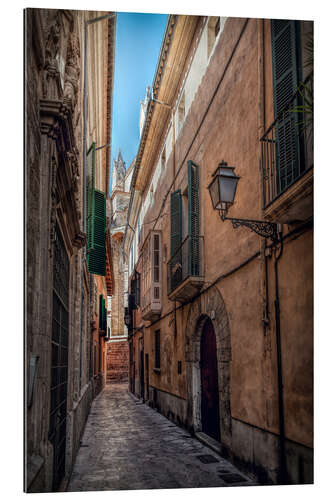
(287, 161)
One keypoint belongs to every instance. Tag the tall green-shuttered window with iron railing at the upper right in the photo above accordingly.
(285, 145)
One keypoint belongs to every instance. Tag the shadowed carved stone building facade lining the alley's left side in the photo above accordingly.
(61, 373)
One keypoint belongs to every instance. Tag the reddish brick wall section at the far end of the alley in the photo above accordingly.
(117, 361)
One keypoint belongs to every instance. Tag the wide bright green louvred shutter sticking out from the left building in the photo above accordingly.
(96, 256)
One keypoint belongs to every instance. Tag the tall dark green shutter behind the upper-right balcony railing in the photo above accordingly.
(285, 81)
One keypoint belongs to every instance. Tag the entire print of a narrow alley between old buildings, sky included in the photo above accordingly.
(168, 251)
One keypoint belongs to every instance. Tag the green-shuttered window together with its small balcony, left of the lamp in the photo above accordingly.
(186, 262)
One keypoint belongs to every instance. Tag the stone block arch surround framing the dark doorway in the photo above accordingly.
(208, 305)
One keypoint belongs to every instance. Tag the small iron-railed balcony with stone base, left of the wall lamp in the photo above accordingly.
(186, 270)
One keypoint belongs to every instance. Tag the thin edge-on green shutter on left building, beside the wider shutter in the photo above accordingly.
(90, 198)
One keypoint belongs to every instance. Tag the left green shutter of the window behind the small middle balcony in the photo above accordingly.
(176, 238)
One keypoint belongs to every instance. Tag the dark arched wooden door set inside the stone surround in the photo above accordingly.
(210, 413)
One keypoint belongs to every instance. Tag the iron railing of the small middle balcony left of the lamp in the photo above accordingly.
(187, 261)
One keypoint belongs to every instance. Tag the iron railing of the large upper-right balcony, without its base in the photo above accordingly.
(287, 146)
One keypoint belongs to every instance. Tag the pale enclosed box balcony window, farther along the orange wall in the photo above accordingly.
(151, 283)
